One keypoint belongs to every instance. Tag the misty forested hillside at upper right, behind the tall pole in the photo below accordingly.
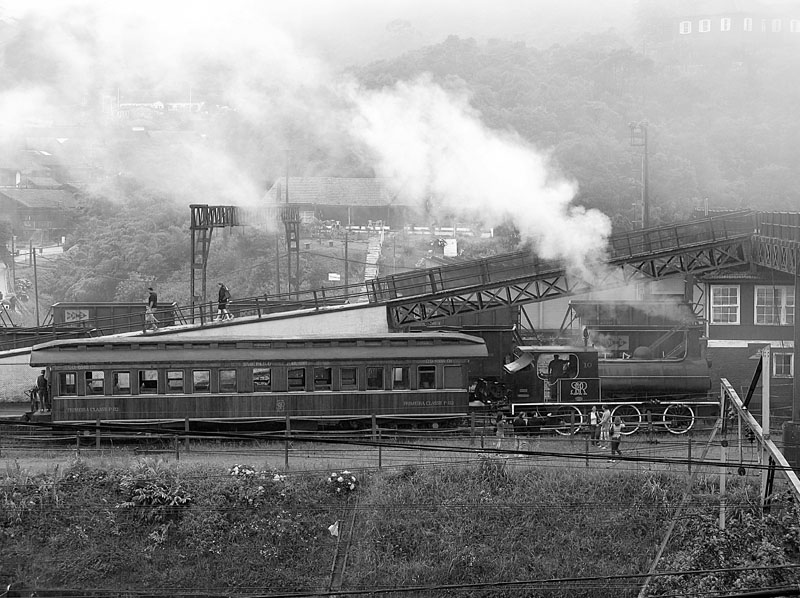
(722, 129)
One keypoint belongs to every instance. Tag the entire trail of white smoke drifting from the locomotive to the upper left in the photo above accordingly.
(428, 142)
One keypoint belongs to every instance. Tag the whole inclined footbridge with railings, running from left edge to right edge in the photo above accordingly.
(770, 239)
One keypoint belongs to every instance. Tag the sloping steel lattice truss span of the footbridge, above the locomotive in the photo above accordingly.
(514, 279)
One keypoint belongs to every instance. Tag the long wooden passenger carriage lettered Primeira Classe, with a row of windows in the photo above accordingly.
(406, 377)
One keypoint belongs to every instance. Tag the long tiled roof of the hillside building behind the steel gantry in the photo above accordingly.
(334, 191)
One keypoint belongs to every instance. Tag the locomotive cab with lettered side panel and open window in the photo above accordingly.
(555, 374)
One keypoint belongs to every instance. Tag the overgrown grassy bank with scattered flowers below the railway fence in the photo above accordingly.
(153, 524)
